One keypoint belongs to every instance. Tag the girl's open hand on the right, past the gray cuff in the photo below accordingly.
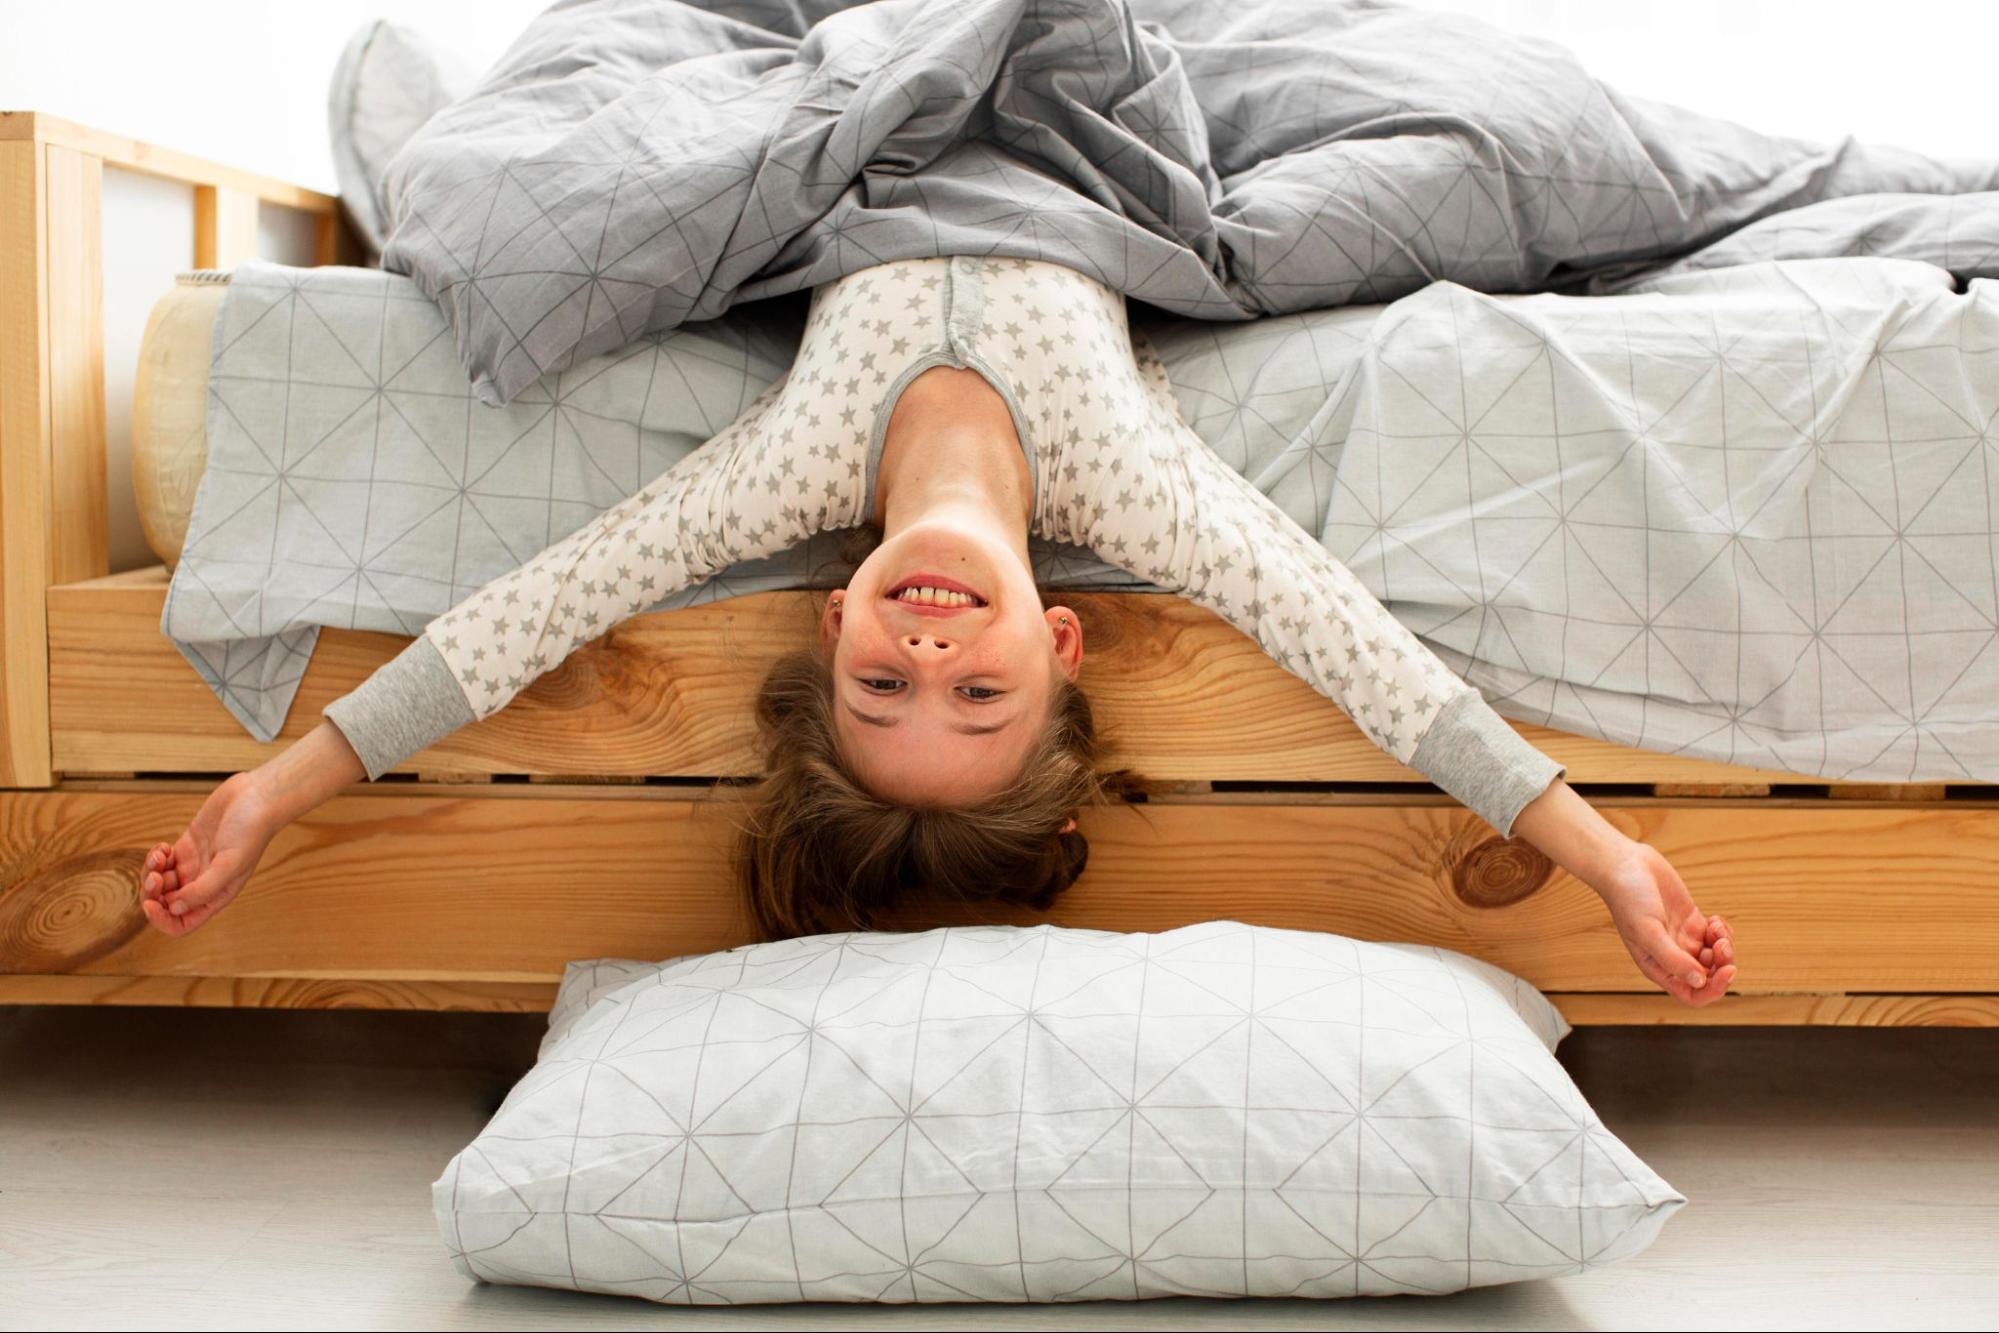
(1686, 954)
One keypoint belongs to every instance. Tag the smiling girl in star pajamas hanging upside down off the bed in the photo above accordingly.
(937, 736)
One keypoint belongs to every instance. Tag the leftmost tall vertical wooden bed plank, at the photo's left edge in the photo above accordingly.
(27, 537)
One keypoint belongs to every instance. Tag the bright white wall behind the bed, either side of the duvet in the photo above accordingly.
(1894, 71)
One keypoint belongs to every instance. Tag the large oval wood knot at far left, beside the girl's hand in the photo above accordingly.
(71, 912)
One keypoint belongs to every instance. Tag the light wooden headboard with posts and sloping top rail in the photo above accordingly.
(53, 451)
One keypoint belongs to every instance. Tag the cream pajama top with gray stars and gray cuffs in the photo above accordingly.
(1114, 471)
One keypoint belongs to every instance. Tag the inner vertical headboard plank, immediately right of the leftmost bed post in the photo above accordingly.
(81, 517)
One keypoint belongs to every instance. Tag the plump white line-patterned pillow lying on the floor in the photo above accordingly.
(1038, 1114)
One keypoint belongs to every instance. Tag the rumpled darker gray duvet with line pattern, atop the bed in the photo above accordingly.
(639, 165)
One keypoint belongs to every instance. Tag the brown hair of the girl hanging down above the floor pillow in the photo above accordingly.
(821, 852)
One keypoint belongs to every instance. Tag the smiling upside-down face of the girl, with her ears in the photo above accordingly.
(945, 665)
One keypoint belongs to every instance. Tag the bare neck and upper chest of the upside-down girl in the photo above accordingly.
(951, 453)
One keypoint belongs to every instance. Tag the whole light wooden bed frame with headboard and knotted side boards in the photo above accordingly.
(585, 820)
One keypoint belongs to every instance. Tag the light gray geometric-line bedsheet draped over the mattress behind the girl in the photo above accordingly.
(1740, 515)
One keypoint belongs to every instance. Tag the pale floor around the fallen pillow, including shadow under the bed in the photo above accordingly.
(217, 1170)
